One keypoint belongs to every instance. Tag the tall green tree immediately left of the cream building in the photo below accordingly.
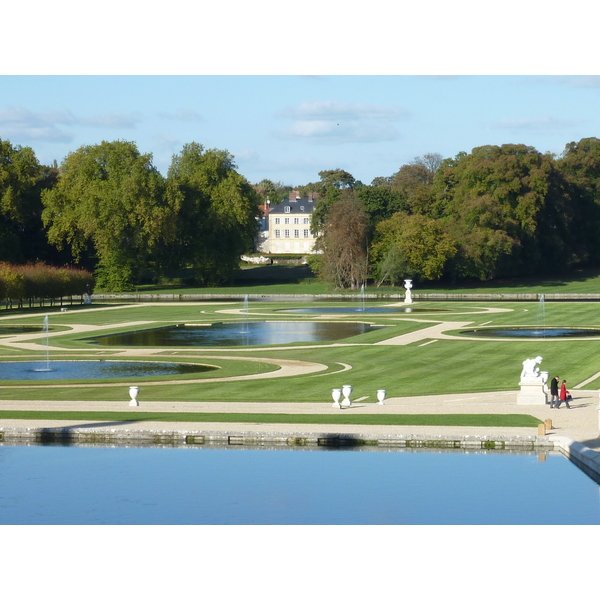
(216, 215)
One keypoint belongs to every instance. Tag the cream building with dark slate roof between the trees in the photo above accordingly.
(285, 227)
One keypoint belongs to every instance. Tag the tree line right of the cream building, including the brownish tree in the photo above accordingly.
(498, 211)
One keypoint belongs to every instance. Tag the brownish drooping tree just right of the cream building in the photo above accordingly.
(344, 244)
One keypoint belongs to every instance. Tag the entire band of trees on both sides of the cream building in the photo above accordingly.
(494, 212)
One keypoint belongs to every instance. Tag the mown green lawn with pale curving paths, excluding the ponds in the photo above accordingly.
(426, 366)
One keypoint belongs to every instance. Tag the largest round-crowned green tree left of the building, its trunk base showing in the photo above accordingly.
(109, 196)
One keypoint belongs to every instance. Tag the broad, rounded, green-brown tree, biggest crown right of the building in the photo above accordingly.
(510, 211)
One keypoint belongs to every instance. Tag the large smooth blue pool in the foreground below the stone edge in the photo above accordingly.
(205, 486)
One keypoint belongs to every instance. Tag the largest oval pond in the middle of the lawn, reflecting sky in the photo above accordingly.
(252, 333)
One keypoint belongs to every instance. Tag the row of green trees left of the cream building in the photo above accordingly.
(107, 208)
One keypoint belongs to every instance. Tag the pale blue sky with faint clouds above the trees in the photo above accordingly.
(287, 128)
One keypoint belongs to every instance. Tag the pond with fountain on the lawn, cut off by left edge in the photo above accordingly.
(94, 369)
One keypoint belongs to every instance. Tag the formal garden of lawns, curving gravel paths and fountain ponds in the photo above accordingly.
(423, 362)
